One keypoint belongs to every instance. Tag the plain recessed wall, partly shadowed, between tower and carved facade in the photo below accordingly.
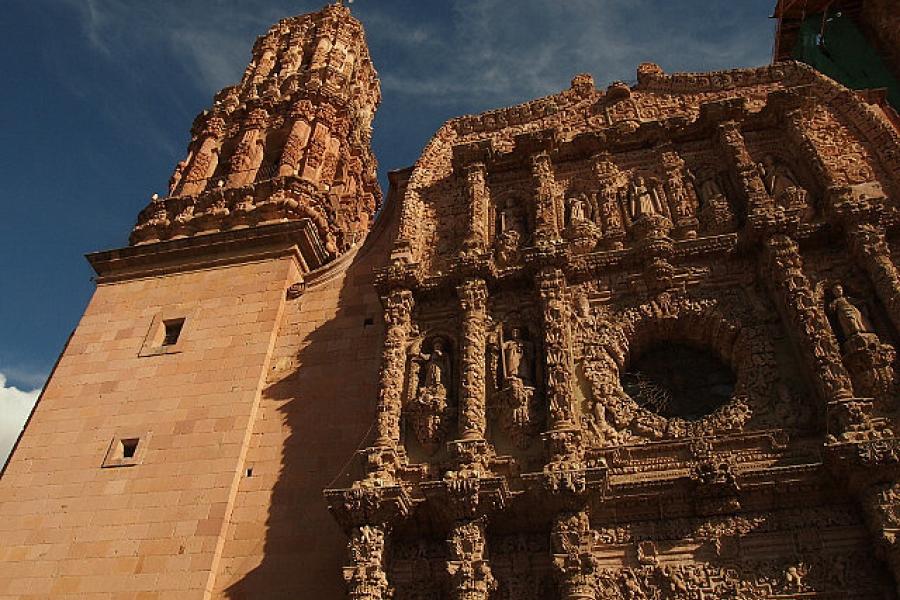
(317, 409)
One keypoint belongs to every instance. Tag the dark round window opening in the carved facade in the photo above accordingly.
(677, 380)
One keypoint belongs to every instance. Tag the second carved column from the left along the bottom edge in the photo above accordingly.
(469, 570)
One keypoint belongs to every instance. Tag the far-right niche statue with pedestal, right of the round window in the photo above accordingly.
(869, 361)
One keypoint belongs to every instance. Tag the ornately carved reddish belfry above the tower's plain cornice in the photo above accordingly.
(291, 141)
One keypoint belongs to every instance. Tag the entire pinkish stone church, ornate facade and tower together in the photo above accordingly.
(635, 343)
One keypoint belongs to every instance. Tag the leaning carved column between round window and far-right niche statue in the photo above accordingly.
(796, 301)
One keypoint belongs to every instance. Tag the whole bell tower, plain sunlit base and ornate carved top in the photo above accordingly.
(126, 480)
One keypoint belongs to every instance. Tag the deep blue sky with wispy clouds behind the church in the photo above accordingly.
(99, 96)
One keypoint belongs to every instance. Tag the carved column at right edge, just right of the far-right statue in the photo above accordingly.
(870, 249)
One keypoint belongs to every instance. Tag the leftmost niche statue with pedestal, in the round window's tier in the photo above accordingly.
(430, 384)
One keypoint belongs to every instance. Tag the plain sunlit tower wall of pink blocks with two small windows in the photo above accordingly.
(72, 529)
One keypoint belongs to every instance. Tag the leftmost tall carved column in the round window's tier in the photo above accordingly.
(397, 317)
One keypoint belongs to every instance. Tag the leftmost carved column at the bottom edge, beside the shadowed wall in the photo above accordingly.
(365, 576)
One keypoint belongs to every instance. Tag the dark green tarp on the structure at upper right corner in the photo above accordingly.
(846, 55)
